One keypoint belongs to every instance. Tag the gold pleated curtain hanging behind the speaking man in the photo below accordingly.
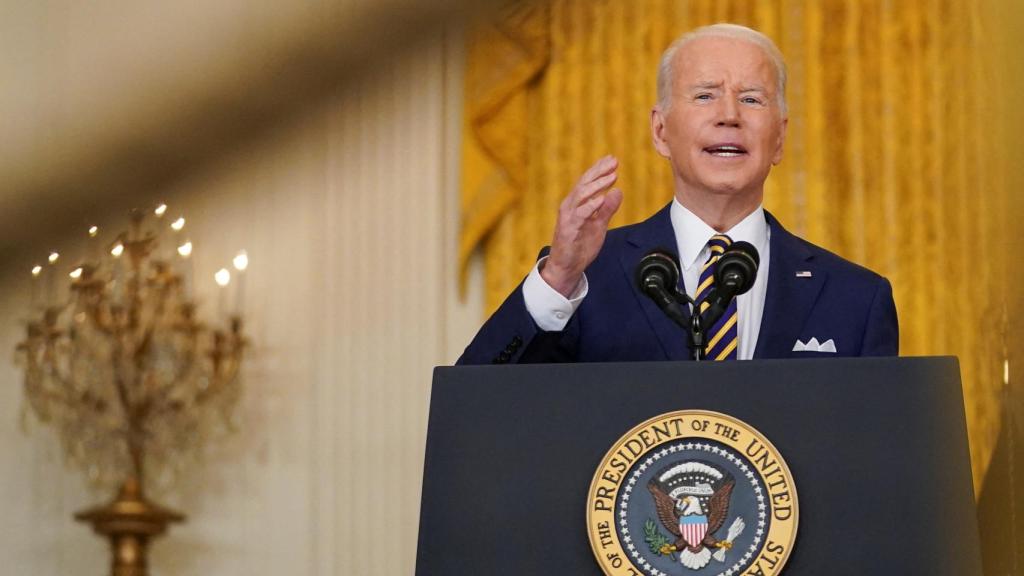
(889, 157)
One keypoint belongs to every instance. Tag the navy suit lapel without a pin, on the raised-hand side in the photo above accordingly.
(655, 233)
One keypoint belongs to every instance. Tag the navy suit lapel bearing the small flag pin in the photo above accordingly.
(790, 299)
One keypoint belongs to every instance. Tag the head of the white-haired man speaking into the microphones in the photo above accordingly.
(724, 129)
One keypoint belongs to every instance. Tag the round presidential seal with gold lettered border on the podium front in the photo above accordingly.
(693, 493)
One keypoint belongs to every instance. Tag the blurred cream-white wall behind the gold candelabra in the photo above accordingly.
(350, 220)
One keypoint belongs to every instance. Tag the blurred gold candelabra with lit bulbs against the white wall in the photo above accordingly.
(131, 380)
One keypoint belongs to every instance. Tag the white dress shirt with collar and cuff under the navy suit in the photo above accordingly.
(551, 311)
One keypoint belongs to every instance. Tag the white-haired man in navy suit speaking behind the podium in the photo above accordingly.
(720, 121)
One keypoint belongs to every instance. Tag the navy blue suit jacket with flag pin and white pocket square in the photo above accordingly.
(842, 302)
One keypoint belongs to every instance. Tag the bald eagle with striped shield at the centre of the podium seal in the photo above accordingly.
(692, 500)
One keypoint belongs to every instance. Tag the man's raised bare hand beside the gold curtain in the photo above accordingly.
(583, 223)
